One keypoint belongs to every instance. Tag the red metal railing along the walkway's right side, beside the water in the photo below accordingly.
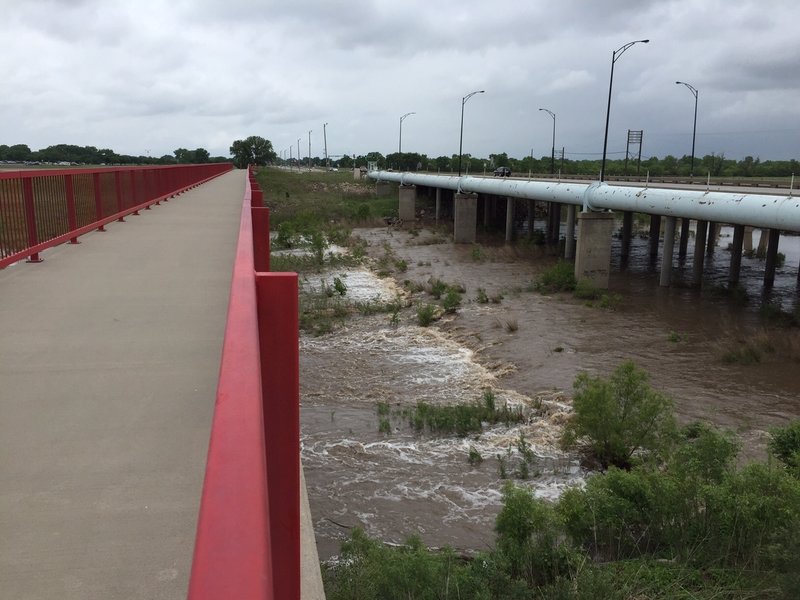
(248, 531)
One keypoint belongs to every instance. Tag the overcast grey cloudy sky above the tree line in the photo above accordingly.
(155, 75)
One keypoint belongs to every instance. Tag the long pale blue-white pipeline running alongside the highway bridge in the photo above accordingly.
(755, 210)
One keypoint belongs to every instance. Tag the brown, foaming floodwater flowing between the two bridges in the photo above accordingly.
(528, 349)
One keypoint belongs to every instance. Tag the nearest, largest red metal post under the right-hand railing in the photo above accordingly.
(280, 384)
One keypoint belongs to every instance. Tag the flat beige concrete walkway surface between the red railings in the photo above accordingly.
(109, 357)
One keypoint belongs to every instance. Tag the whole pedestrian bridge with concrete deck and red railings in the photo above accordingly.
(112, 384)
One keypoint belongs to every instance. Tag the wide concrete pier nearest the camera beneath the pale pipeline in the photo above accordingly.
(593, 255)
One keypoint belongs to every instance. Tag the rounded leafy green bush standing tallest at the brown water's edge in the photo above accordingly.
(617, 417)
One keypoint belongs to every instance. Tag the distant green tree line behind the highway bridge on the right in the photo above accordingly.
(714, 164)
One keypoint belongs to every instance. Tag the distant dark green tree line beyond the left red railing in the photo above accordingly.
(89, 155)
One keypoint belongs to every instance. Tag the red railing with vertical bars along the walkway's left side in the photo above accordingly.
(44, 208)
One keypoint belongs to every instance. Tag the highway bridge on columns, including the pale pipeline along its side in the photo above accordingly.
(595, 224)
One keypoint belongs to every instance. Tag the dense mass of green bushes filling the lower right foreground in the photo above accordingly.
(673, 515)
